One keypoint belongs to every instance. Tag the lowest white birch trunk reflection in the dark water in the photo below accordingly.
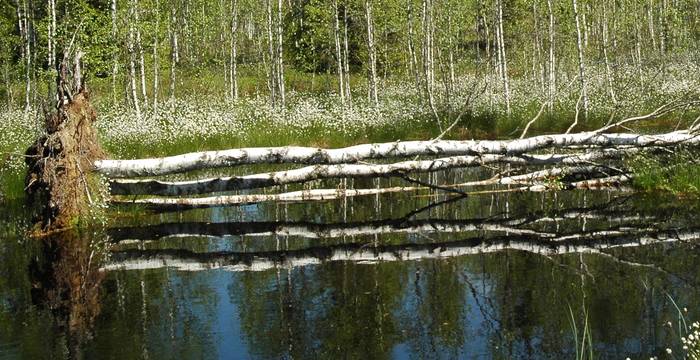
(593, 243)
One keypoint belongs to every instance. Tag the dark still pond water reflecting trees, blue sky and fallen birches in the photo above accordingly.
(397, 276)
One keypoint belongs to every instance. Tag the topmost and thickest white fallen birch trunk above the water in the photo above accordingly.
(399, 149)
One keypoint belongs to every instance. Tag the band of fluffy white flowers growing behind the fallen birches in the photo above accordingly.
(313, 119)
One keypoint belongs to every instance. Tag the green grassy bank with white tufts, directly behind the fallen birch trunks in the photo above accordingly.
(314, 115)
